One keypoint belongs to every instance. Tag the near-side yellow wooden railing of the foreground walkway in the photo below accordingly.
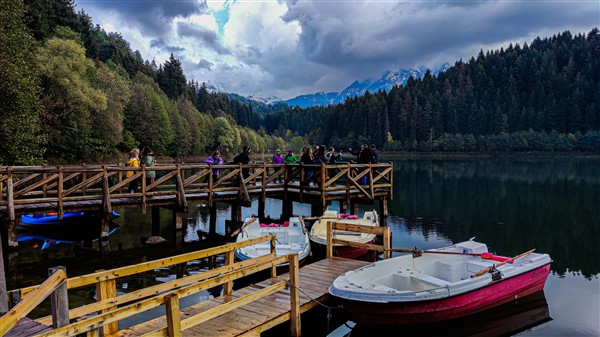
(112, 310)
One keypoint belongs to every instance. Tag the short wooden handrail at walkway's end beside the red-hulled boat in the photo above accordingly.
(382, 231)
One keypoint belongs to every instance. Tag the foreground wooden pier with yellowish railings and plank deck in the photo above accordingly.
(244, 312)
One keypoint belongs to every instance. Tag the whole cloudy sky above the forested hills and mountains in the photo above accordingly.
(287, 48)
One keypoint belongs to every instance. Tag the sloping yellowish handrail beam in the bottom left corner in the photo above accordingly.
(12, 317)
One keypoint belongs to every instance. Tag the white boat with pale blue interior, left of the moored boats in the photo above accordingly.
(292, 238)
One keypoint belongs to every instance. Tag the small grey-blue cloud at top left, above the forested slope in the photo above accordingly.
(151, 17)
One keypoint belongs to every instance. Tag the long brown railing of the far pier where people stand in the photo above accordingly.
(60, 187)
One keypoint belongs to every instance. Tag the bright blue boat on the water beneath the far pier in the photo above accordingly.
(69, 218)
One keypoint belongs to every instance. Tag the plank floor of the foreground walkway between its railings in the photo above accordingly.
(265, 313)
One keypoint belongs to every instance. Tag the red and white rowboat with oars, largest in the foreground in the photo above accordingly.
(438, 285)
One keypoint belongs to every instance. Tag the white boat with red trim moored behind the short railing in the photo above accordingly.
(318, 232)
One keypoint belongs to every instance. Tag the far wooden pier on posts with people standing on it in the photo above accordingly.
(60, 189)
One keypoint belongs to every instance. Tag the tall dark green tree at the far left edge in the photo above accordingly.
(22, 143)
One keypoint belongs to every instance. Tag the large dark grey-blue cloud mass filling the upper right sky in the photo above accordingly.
(406, 34)
